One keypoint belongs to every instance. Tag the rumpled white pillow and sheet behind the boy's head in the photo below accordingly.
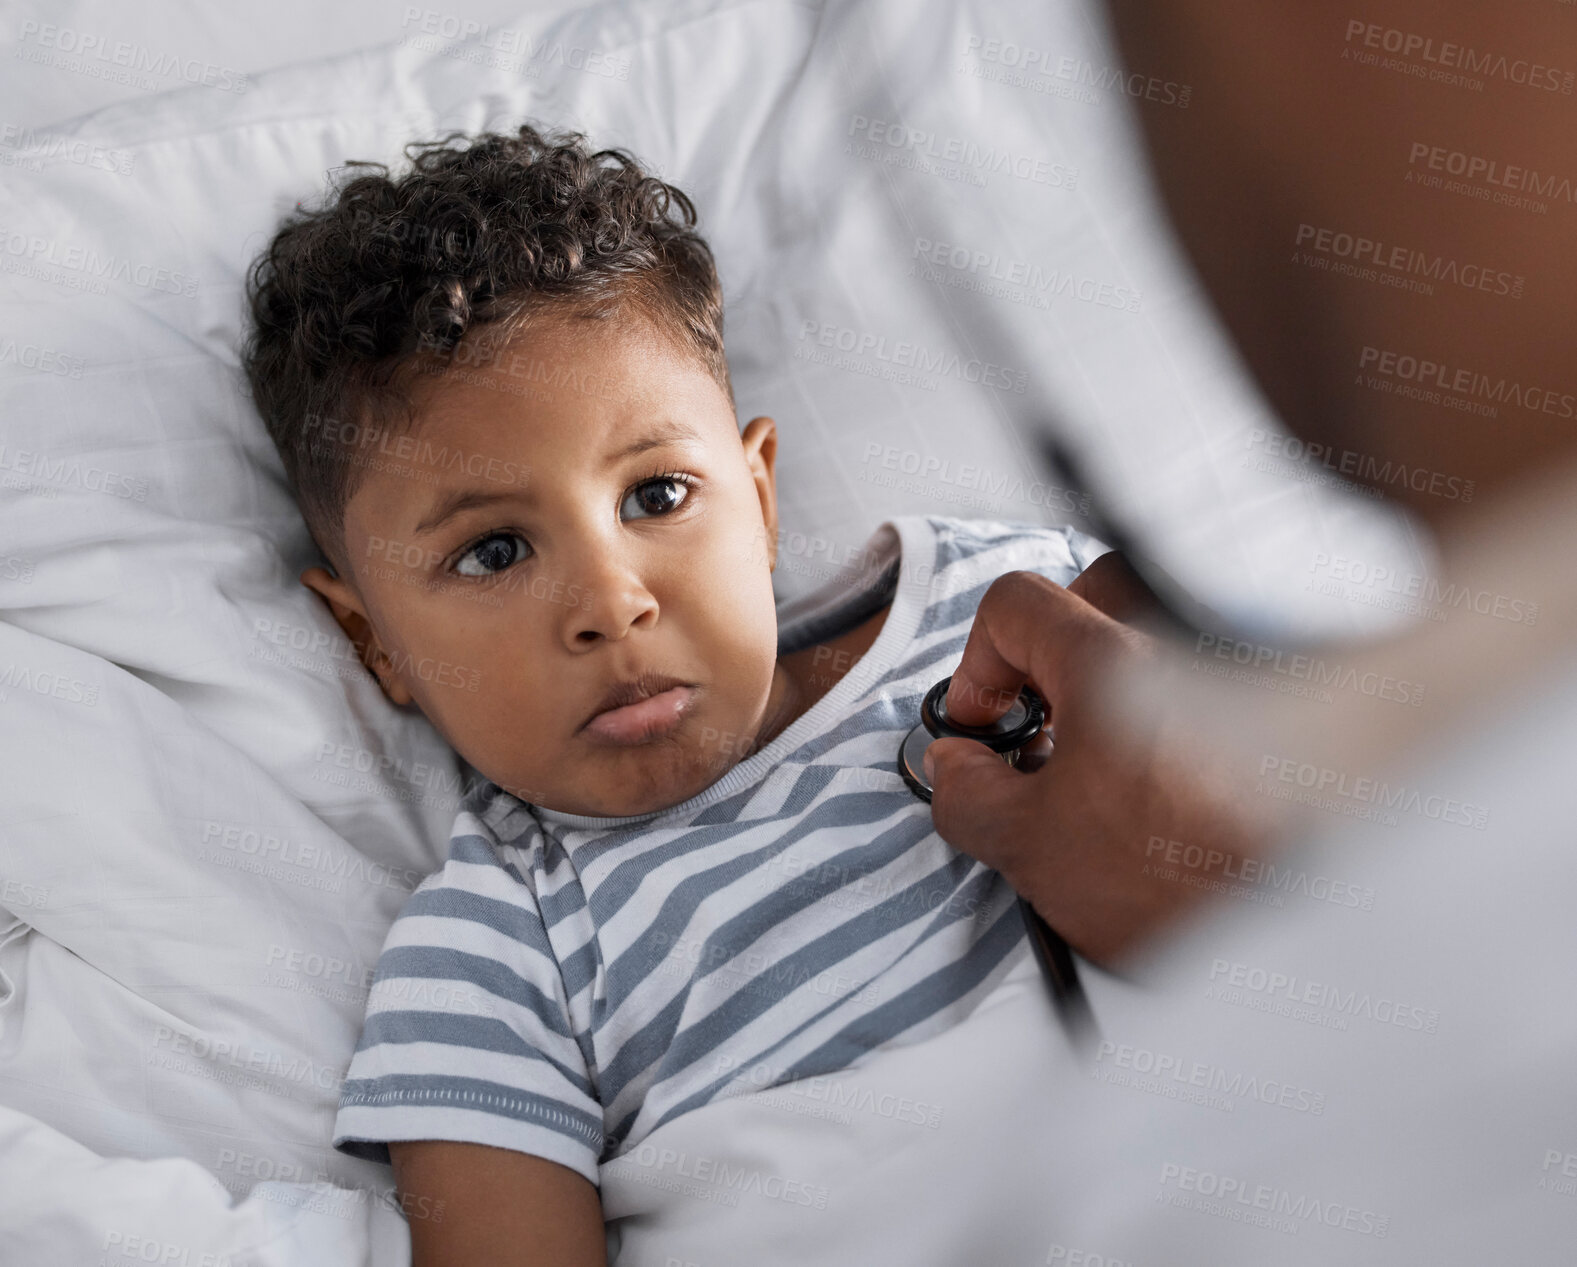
(211, 815)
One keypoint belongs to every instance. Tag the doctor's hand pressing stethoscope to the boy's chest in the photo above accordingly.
(1084, 835)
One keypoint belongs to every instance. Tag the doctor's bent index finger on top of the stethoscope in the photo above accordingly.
(1027, 629)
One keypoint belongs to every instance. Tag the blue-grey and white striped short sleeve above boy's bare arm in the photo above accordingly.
(468, 1033)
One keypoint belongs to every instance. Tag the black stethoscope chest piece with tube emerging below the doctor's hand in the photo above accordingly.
(1007, 736)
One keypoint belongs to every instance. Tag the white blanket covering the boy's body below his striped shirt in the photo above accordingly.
(933, 1156)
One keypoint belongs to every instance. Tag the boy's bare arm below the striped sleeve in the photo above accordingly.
(479, 1206)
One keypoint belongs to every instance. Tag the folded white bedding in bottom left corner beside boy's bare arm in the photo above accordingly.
(62, 1206)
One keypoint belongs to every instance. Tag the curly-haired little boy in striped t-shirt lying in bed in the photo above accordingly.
(499, 391)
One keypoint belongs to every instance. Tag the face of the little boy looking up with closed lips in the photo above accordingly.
(628, 529)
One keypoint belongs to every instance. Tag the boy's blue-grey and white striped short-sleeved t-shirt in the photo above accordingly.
(565, 985)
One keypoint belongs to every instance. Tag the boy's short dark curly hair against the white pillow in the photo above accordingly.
(395, 277)
